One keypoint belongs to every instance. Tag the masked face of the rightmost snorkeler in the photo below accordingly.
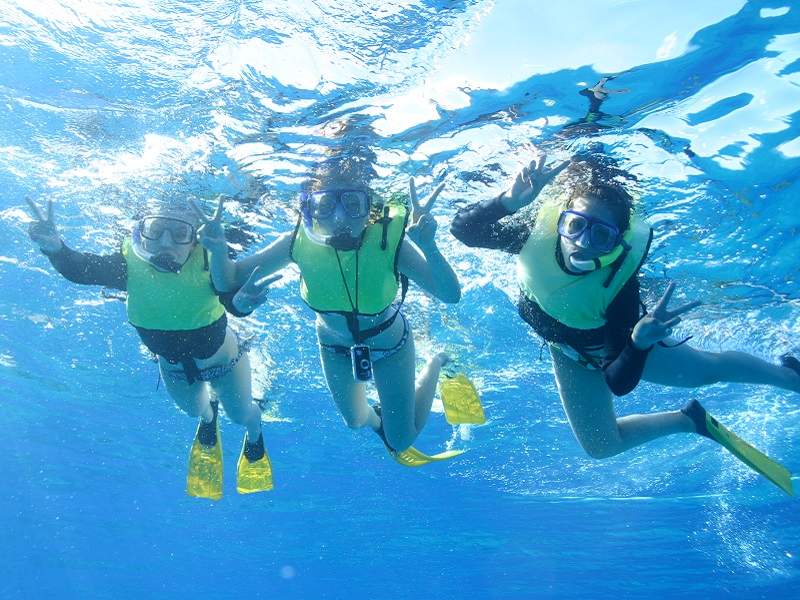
(589, 244)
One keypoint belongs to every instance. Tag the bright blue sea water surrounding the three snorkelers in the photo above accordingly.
(108, 103)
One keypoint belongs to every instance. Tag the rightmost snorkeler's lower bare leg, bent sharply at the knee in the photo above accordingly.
(588, 404)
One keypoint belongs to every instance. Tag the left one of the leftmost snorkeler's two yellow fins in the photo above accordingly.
(205, 460)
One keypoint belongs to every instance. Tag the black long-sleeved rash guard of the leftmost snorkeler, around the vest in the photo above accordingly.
(111, 271)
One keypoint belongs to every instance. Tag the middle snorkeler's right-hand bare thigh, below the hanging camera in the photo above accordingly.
(394, 379)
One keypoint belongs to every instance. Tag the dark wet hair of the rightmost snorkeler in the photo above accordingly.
(599, 178)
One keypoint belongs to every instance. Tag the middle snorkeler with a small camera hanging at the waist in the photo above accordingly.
(354, 255)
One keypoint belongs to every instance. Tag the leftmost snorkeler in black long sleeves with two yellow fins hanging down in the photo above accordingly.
(180, 318)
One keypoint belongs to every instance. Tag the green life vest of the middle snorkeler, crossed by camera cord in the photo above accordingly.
(328, 278)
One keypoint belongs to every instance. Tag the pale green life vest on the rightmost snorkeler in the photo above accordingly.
(579, 301)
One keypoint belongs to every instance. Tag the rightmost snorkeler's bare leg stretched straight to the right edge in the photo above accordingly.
(684, 366)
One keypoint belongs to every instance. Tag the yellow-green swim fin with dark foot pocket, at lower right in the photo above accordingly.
(755, 459)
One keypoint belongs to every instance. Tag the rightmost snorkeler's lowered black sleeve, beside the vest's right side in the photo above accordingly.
(624, 363)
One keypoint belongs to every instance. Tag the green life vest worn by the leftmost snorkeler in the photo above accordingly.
(170, 301)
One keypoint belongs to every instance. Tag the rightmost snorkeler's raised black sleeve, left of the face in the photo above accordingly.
(479, 226)
